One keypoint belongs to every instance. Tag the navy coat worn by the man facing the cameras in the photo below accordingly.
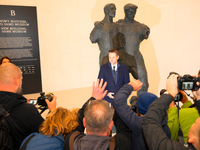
(122, 78)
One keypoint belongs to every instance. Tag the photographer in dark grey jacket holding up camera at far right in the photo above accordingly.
(155, 137)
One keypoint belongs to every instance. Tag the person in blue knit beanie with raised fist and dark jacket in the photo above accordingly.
(130, 118)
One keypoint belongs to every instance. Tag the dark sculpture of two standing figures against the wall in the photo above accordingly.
(125, 35)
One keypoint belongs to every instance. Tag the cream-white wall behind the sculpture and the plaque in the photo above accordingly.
(70, 61)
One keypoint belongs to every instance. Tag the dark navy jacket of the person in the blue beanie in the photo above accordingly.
(131, 119)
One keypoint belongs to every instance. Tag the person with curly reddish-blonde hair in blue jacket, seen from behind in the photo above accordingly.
(53, 130)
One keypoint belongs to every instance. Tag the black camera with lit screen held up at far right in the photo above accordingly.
(187, 82)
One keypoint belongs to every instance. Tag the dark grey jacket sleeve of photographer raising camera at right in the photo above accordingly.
(154, 135)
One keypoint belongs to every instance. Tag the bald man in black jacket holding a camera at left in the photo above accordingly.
(25, 115)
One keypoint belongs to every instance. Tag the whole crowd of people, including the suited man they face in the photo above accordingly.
(154, 126)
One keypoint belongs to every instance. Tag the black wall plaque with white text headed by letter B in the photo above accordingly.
(19, 41)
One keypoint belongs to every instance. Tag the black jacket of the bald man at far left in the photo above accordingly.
(25, 115)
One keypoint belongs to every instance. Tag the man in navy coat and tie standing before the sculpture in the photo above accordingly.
(115, 74)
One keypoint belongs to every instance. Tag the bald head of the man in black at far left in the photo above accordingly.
(10, 77)
